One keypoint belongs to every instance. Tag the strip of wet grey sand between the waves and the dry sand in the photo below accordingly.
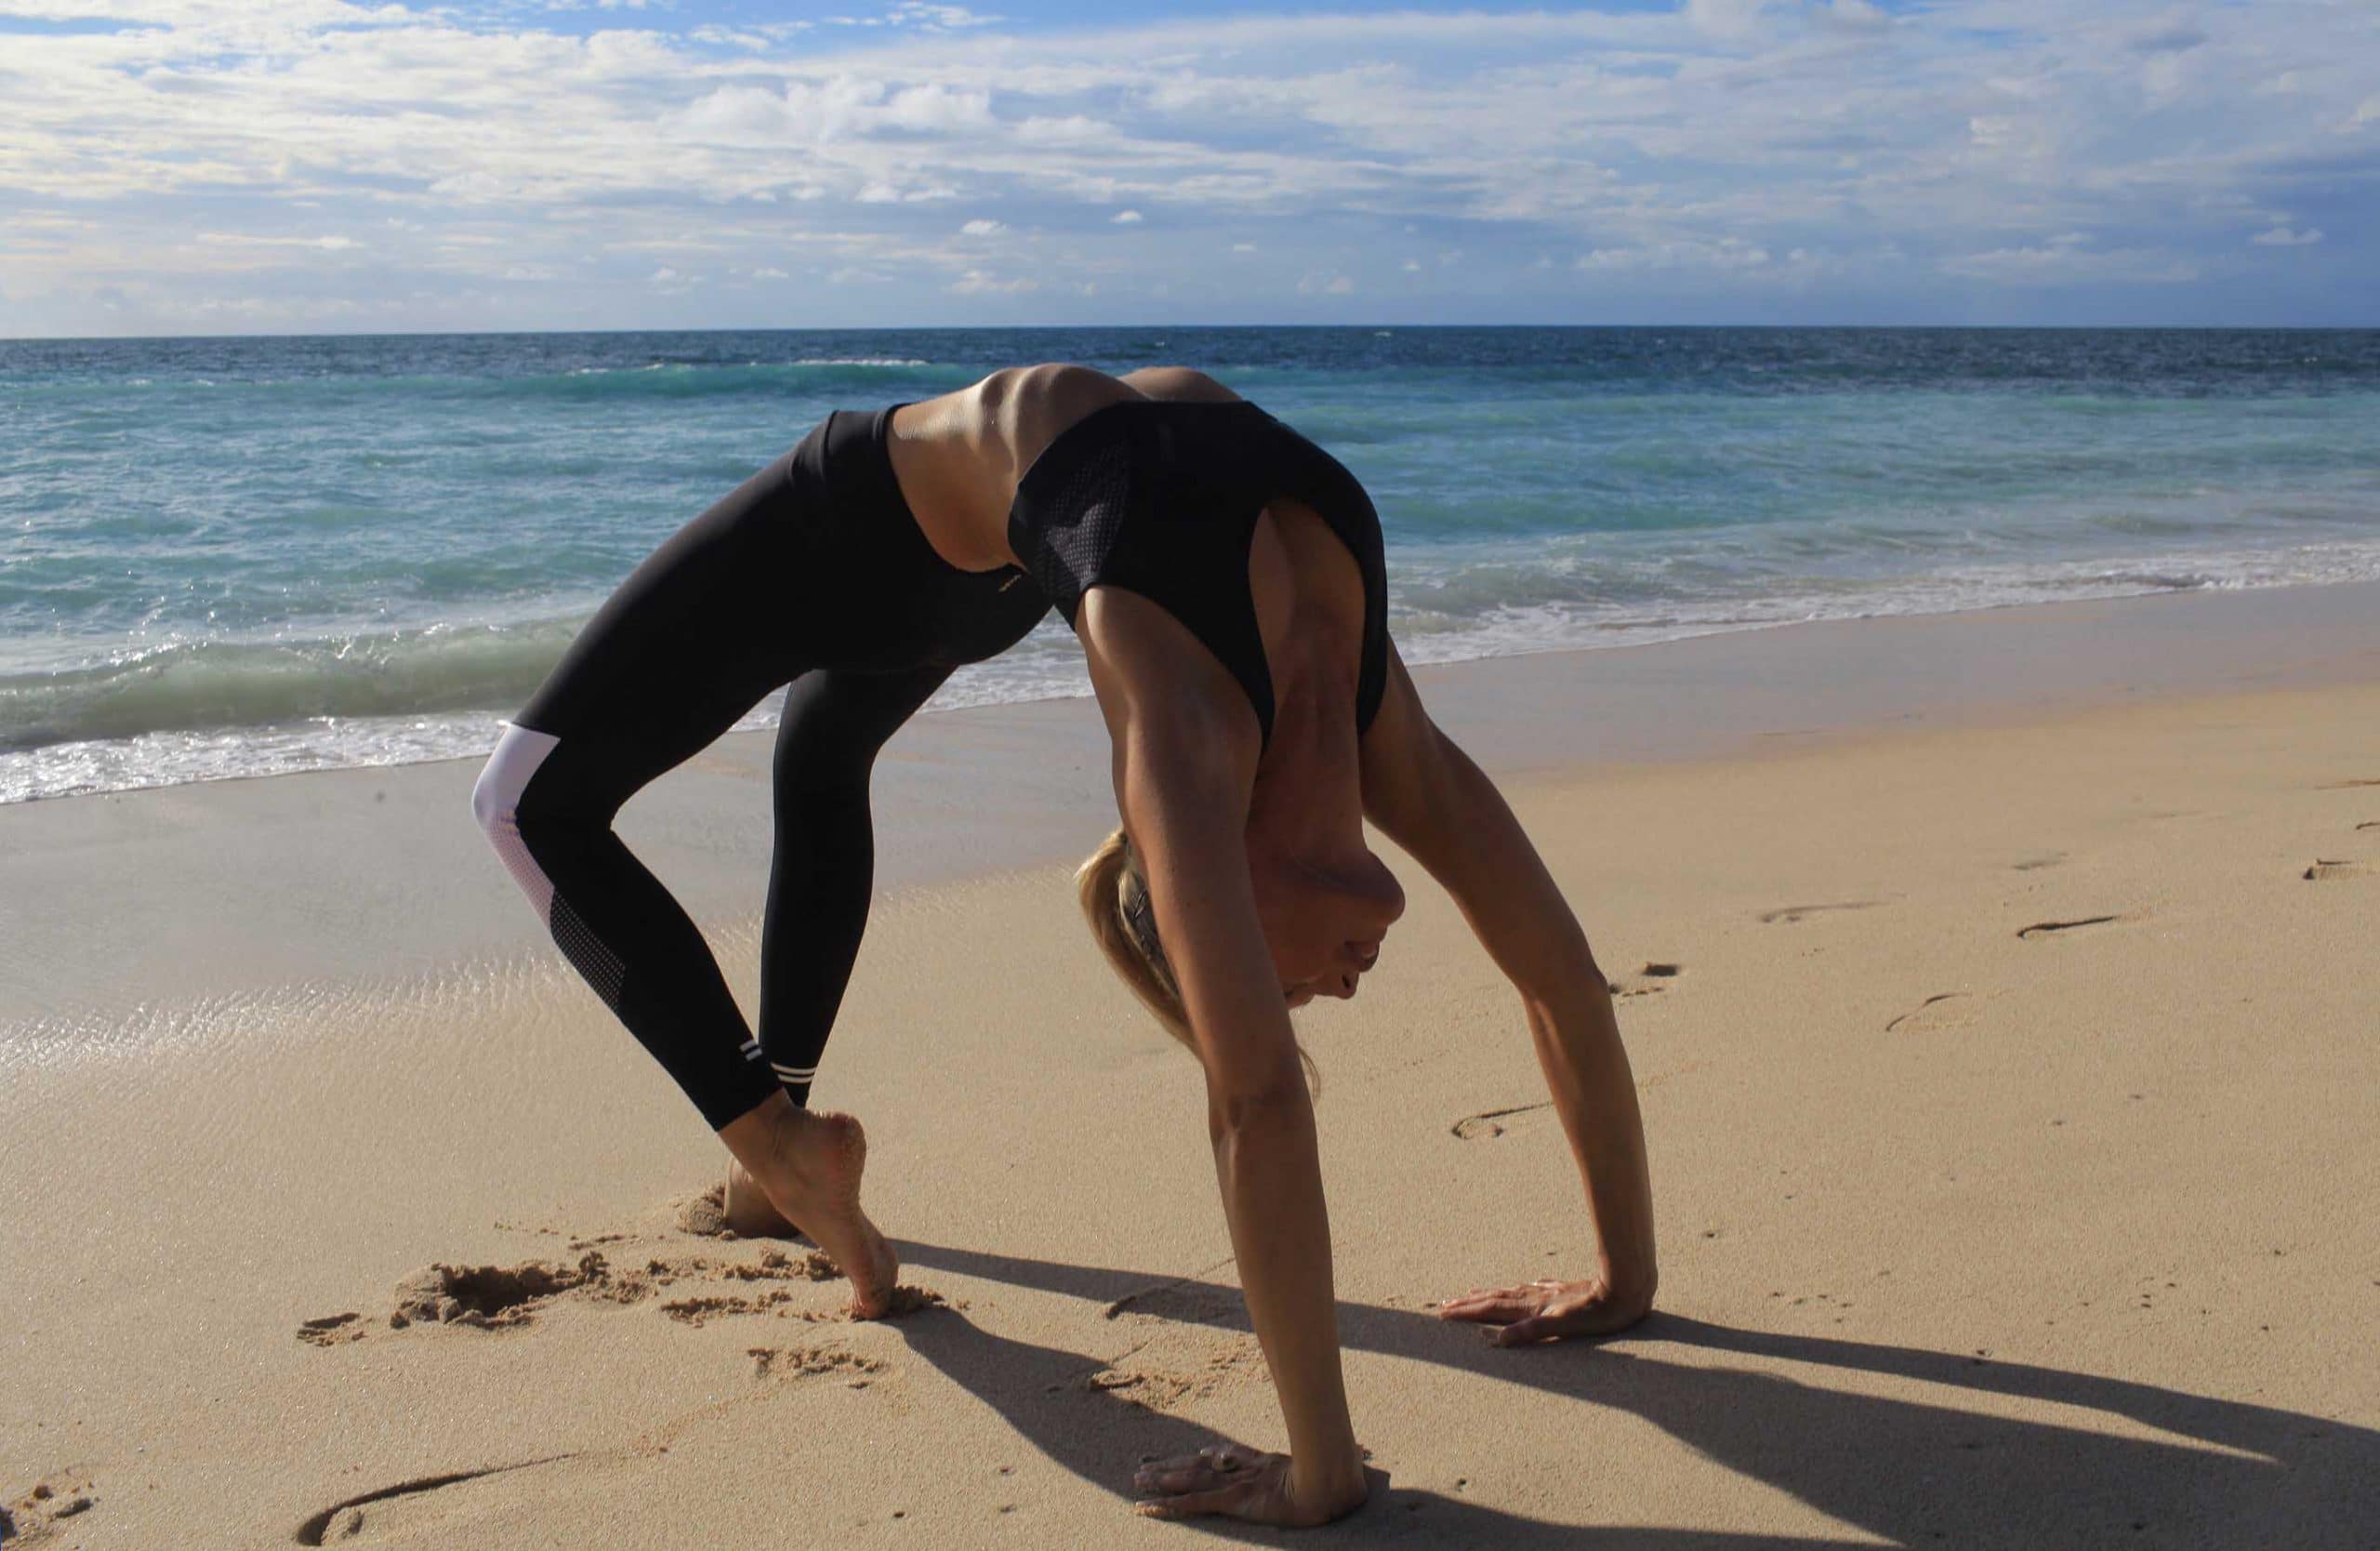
(987, 791)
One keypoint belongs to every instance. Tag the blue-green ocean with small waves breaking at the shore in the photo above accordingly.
(258, 555)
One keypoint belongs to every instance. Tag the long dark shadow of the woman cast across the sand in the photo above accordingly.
(1912, 1474)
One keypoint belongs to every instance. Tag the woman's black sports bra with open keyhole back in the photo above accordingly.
(1163, 498)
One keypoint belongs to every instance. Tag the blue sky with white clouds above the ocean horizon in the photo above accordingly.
(353, 168)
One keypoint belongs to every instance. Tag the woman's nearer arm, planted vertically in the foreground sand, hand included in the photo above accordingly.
(1184, 762)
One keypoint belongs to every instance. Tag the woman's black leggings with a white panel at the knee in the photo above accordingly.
(810, 574)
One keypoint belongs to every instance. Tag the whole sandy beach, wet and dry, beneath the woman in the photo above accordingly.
(2000, 991)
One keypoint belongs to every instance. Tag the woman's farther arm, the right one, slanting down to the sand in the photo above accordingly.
(1427, 796)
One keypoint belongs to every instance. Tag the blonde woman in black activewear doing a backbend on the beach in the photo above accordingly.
(1227, 584)
